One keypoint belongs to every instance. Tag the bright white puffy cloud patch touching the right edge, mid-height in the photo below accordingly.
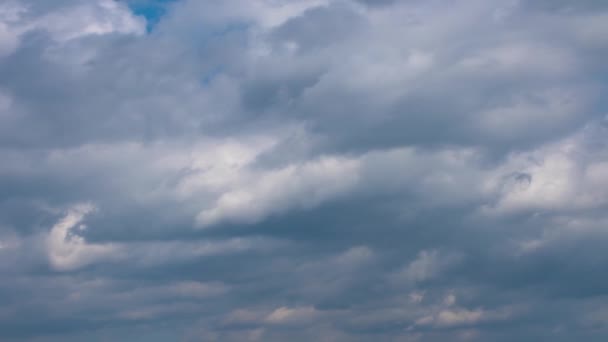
(564, 175)
